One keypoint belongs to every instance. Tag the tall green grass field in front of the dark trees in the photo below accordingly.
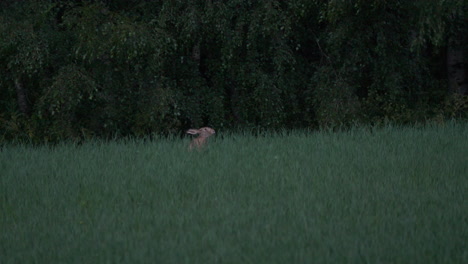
(389, 195)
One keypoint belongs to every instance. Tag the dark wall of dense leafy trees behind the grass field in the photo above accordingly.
(100, 69)
